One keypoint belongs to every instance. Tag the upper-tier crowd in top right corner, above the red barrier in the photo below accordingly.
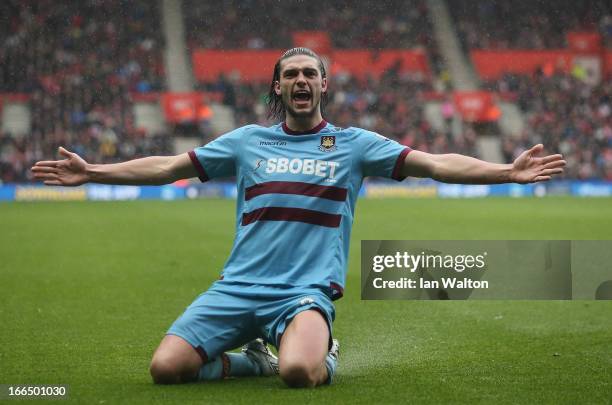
(525, 24)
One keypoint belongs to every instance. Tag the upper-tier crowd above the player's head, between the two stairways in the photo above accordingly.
(259, 24)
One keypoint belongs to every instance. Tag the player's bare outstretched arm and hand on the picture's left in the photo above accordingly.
(74, 171)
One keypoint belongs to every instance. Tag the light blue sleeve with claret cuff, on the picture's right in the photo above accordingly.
(382, 156)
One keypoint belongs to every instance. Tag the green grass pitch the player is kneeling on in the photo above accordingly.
(87, 291)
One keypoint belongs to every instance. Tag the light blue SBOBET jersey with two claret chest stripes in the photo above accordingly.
(296, 199)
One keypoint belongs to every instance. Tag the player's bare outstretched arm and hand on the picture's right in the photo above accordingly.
(454, 168)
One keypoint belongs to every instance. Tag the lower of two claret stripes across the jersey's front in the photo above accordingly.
(292, 214)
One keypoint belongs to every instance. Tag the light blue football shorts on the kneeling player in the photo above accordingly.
(231, 314)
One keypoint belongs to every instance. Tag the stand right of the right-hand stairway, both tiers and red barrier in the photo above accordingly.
(564, 110)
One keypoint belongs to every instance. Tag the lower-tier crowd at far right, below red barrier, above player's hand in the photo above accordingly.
(568, 116)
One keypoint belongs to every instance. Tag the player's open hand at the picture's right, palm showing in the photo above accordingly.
(528, 168)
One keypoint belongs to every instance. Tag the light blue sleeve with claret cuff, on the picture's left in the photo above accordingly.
(217, 158)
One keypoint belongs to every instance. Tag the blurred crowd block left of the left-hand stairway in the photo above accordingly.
(78, 62)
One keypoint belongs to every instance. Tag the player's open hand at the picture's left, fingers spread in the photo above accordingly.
(71, 171)
